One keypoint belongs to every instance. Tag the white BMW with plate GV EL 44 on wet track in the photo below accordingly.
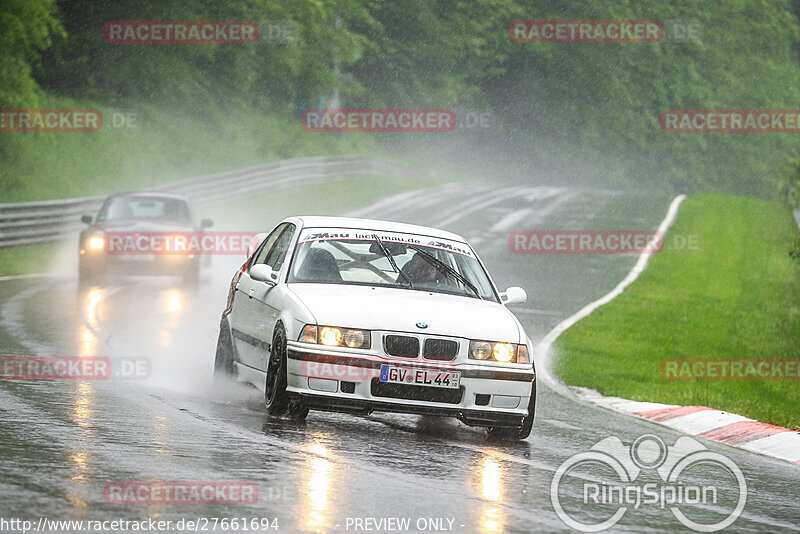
(358, 315)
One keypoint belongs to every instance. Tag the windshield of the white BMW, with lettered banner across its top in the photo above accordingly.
(366, 257)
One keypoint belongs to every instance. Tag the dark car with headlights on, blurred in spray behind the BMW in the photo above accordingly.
(131, 236)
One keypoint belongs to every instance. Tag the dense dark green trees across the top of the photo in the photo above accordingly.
(581, 109)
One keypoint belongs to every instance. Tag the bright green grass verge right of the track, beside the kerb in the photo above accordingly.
(738, 296)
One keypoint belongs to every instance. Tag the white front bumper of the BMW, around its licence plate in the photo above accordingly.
(339, 380)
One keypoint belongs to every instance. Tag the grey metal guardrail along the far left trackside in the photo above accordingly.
(25, 223)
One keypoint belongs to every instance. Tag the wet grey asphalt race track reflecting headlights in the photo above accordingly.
(62, 442)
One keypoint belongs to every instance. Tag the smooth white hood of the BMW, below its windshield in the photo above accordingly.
(379, 308)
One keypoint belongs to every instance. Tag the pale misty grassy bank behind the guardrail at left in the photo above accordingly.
(159, 146)
